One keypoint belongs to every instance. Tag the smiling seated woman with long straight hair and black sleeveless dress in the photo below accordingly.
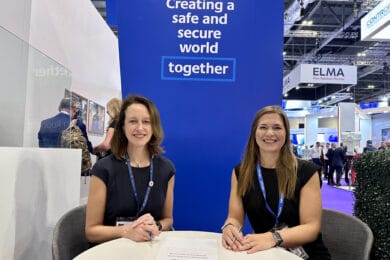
(279, 193)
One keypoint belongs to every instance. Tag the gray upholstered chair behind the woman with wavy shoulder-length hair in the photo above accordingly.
(69, 235)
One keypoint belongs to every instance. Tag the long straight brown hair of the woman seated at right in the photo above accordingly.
(286, 166)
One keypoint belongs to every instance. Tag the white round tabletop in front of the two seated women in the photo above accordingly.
(127, 249)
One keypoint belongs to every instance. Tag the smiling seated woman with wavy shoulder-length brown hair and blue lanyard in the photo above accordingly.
(131, 190)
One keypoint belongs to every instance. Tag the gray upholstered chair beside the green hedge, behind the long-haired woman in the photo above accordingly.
(346, 236)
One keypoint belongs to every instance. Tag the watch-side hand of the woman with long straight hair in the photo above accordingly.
(258, 242)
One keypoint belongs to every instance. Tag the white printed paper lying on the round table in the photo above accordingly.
(175, 248)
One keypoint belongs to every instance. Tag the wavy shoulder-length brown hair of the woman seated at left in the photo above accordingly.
(119, 141)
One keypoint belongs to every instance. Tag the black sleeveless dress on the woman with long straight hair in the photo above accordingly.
(262, 220)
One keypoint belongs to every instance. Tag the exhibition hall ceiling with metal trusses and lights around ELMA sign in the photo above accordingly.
(328, 32)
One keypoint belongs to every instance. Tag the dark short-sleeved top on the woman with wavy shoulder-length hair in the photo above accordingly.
(120, 201)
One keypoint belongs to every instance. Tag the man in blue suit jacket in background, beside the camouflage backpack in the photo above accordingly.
(49, 134)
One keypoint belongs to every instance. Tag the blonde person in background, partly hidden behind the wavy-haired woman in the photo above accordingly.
(113, 108)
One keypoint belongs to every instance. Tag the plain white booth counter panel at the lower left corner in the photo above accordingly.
(37, 186)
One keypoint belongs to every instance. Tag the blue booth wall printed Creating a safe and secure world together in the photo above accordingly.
(206, 116)
